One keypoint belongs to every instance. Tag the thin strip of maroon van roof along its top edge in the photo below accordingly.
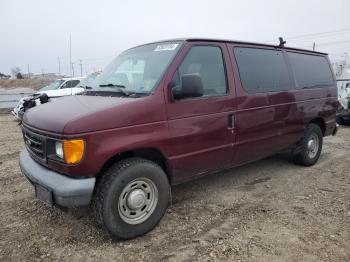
(238, 42)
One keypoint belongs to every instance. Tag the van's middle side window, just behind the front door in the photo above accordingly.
(262, 70)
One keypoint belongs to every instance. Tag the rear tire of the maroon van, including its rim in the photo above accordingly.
(310, 146)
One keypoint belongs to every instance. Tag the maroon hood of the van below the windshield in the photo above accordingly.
(81, 114)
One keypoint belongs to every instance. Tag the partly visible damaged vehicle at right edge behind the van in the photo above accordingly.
(343, 114)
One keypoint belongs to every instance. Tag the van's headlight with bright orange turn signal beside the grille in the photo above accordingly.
(71, 151)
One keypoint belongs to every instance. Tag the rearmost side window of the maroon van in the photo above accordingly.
(310, 71)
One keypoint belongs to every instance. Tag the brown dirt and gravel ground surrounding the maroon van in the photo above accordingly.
(270, 210)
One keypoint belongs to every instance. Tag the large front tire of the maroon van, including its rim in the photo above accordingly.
(132, 197)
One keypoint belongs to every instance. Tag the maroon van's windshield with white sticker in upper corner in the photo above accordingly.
(137, 70)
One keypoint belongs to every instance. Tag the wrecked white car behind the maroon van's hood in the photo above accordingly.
(59, 88)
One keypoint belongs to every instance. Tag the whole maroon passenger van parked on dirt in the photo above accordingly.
(168, 112)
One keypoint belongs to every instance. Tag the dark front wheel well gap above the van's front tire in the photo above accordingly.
(151, 154)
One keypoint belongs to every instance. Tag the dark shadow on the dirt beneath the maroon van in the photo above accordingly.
(243, 178)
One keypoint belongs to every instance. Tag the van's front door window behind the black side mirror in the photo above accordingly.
(208, 62)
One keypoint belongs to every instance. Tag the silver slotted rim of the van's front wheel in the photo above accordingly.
(137, 201)
